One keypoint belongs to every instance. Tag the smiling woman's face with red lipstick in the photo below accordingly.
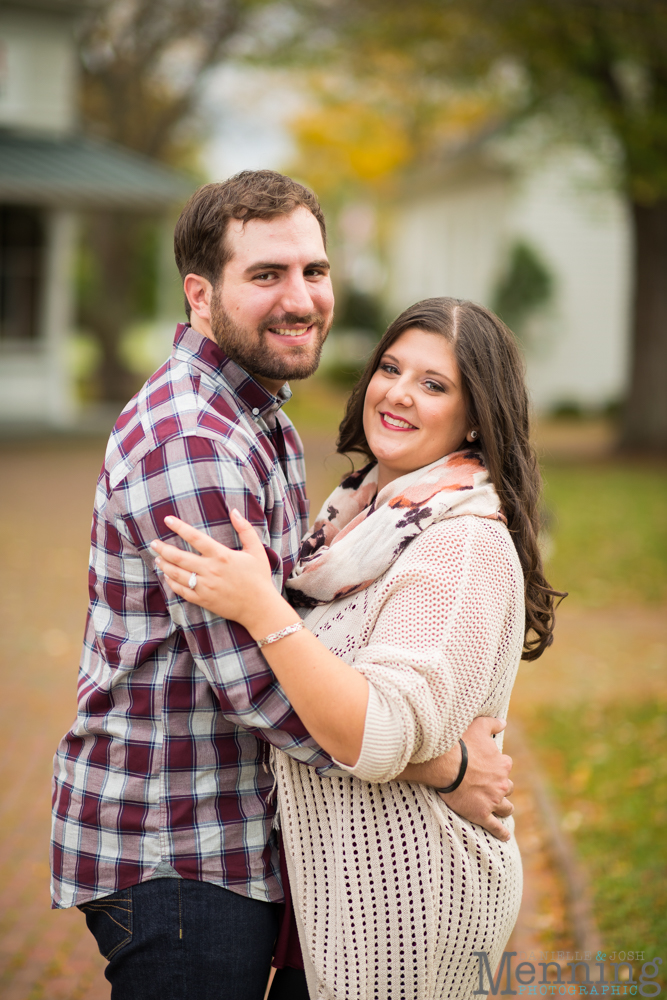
(414, 411)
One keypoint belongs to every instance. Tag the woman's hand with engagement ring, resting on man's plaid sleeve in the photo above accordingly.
(232, 584)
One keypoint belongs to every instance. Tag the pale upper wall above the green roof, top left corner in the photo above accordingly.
(37, 72)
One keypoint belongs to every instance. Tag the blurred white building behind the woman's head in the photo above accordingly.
(452, 233)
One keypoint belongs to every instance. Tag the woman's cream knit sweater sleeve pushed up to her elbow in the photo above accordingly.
(442, 639)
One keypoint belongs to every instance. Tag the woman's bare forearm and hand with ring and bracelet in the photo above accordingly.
(328, 695)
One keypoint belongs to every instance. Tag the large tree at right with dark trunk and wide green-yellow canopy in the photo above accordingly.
(600, 66)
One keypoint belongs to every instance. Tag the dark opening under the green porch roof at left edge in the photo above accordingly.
(21, 272)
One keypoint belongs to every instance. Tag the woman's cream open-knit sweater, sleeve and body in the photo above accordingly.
(393, 892)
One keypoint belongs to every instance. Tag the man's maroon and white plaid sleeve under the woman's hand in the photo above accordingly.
(197, 479)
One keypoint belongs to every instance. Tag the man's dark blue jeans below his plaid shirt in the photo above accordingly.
(177, 939)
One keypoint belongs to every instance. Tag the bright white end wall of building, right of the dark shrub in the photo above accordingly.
(583, 232)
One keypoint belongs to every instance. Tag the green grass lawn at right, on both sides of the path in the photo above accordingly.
(607, 758)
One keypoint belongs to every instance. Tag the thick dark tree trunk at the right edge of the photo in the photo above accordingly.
(645, 418)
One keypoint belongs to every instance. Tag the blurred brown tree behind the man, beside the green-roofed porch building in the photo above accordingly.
(142, 67)
